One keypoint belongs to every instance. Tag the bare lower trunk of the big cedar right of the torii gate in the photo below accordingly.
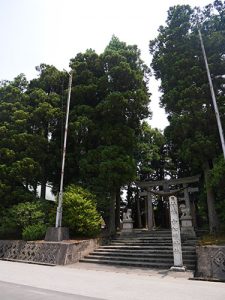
(213, 219)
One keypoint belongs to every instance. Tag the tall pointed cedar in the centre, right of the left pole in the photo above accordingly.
(109, 100)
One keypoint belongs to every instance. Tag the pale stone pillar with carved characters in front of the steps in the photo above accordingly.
(175, 227)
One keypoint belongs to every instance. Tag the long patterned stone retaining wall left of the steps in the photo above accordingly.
(53, 253)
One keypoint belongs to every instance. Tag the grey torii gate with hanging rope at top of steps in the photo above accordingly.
(149, 185)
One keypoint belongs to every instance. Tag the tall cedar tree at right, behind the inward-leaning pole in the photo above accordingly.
(178, 62)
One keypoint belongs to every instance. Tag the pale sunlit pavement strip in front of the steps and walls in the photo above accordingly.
(109, 283)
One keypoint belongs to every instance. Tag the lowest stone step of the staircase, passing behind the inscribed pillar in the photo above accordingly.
(139, 264)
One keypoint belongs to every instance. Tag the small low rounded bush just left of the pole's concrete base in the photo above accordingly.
(34, 232)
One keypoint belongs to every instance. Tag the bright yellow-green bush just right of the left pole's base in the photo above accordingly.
(80, 213)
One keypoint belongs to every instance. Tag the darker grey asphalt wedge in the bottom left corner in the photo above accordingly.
(11, 291)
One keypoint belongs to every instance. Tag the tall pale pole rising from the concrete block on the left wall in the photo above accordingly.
(59, 208)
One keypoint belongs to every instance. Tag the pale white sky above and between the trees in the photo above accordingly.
(54, 31)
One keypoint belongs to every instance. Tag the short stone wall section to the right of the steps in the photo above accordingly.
(211, 262)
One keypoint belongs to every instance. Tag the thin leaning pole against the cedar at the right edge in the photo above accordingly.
(212, 94)
